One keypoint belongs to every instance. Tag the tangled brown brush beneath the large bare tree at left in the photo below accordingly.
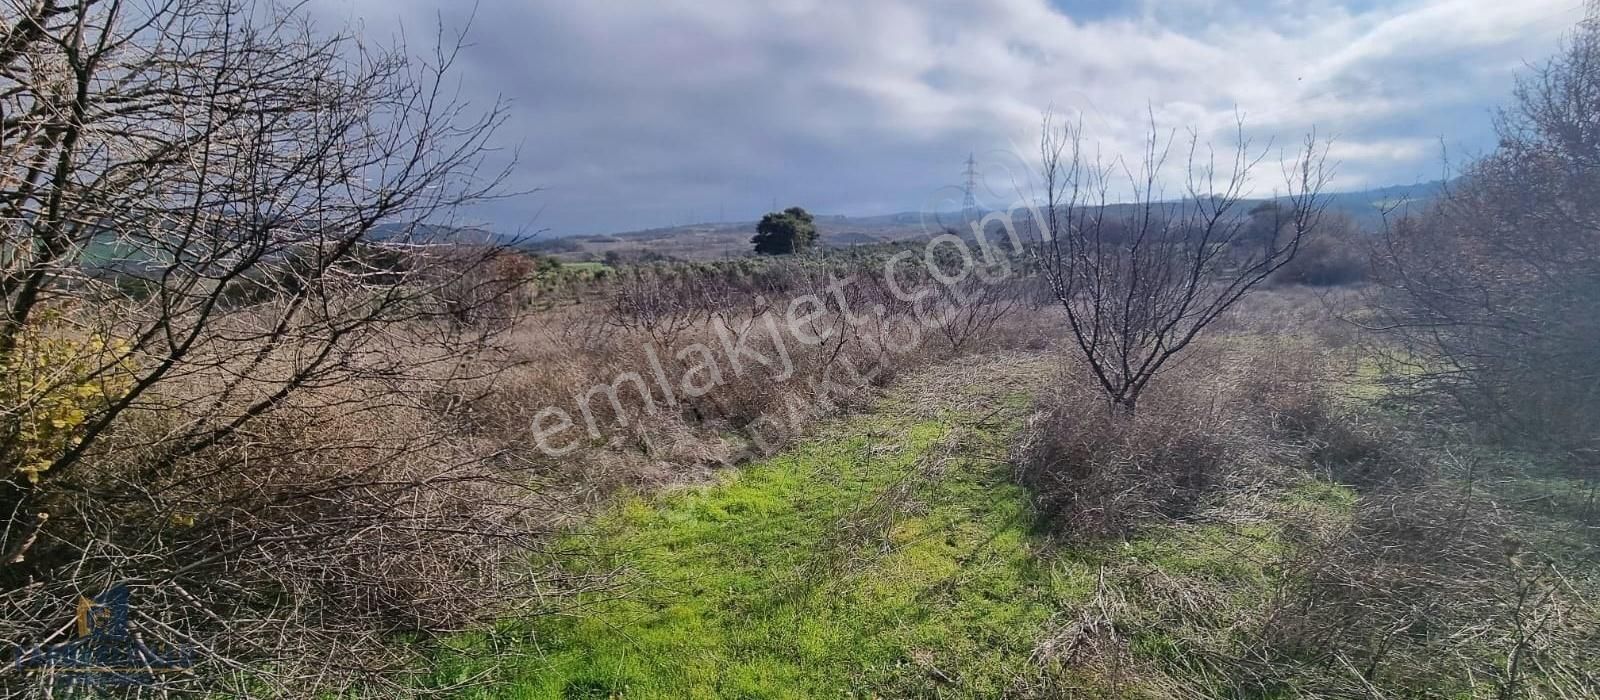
(343, 517)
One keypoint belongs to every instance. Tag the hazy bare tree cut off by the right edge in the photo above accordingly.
(1490, 293)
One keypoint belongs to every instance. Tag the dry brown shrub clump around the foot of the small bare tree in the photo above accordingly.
(1220, 421)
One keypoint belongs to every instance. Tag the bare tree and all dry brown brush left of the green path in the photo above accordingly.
(271, 424)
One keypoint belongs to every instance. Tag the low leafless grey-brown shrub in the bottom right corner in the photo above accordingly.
(1430, 589)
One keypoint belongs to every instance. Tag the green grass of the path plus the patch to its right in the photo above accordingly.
(895, 557)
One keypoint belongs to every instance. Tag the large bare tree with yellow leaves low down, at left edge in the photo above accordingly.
(228, 279)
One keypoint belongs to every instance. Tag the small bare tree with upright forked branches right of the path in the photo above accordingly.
(1142, 279)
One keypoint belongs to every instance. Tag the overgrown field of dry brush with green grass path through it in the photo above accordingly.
(724, 480)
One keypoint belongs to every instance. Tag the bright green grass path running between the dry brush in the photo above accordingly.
(887, 557)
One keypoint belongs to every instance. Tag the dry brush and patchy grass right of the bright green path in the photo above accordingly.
(1257, 531)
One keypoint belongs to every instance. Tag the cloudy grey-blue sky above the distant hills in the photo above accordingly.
(657, 113)
